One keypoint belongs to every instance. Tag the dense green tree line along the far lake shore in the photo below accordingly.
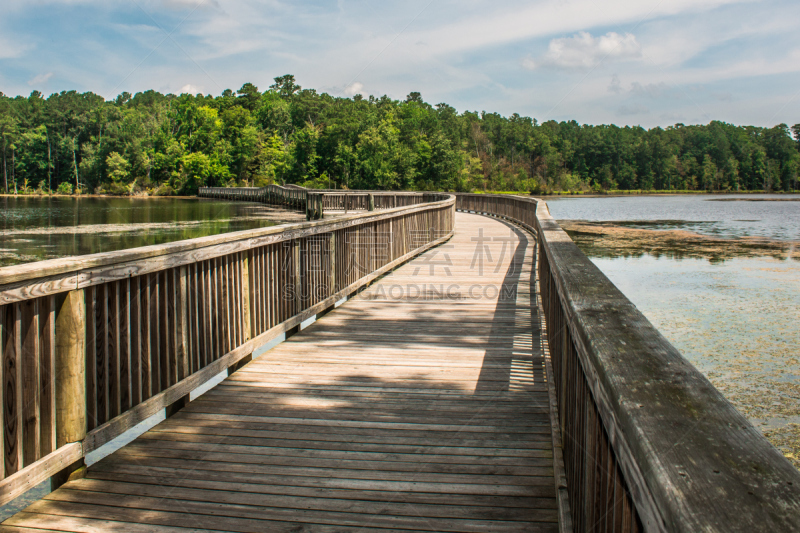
(168, 144)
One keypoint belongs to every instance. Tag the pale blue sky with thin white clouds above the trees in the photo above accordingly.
(627, 62)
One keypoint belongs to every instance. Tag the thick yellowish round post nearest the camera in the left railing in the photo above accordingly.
(70, 379)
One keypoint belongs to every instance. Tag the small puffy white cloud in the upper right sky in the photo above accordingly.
(585, 51)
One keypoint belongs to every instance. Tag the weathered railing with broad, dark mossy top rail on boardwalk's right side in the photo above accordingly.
(648, 443)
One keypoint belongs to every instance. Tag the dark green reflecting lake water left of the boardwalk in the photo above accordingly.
(38, 228)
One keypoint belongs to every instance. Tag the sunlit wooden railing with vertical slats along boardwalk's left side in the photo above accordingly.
(93, 345)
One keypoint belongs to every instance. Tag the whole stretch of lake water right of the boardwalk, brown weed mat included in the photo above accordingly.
(724, 288)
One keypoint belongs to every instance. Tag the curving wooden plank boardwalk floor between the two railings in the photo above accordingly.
(418, 405)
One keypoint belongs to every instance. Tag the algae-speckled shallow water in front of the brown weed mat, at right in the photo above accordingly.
(734, 322)
